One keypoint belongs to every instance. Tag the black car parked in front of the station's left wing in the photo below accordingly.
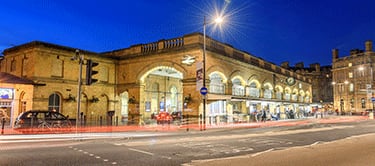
(41, 119)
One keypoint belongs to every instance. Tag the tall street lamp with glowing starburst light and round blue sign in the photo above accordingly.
(217, 20)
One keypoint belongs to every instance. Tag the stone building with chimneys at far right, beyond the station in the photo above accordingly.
(353, 80)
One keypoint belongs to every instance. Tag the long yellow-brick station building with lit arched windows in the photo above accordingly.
(143, 79)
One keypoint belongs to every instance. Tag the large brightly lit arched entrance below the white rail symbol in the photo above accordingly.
(161, 91)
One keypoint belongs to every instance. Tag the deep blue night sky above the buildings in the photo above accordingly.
(274, 30)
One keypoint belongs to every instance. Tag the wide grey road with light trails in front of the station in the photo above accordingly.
(284, 145)
